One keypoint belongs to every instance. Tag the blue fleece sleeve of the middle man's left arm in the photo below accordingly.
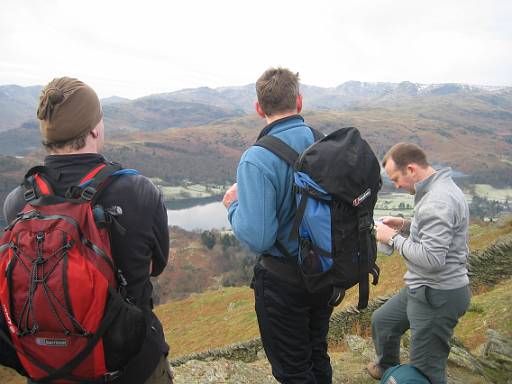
(253, 216)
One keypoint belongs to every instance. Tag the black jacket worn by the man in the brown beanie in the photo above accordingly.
(141, 252)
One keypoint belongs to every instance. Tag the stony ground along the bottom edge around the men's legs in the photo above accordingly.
(348, 366)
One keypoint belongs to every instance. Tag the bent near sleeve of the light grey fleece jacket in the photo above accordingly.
(435, 223)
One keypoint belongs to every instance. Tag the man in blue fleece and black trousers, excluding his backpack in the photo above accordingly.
(293, 322)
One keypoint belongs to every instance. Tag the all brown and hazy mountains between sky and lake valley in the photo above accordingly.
(439, 116)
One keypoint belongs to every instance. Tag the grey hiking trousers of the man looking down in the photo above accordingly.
(431, 314)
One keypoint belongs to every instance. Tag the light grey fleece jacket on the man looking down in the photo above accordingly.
(436, 250)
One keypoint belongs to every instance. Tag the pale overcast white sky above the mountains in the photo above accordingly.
(135, 48)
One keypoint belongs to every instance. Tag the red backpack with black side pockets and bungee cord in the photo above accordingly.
(60, 292)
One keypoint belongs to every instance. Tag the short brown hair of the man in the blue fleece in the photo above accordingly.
(277, 90)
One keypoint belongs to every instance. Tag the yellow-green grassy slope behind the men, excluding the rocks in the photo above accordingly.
(224, 316)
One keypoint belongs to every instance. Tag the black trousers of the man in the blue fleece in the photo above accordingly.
(293, 326)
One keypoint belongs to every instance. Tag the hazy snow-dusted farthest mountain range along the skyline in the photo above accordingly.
(197, 106)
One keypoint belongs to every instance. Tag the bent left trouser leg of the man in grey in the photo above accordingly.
(389, 323)
